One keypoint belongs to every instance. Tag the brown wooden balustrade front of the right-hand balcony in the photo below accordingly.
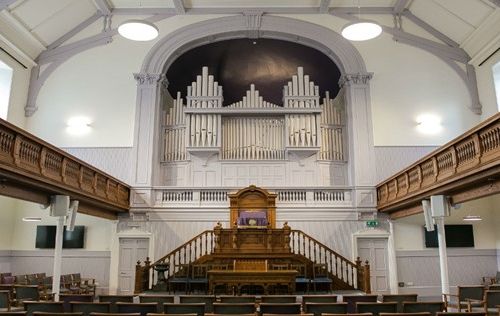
(466, 156)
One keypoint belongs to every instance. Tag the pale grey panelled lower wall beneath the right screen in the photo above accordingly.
(465, 267)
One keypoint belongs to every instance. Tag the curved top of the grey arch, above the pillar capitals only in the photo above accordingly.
(254, 25)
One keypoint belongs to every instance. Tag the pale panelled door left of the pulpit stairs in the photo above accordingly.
(131, 250)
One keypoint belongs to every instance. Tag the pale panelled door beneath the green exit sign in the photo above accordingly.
(375, 251)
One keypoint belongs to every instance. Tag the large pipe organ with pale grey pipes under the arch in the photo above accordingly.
(254, 129)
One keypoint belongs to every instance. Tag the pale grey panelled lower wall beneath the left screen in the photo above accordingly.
(91, 264)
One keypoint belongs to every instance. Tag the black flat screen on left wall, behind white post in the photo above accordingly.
(46, 237)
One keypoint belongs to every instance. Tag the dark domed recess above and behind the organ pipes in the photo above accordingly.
(267, 63)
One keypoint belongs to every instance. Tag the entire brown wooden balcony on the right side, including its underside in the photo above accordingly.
(464, 169)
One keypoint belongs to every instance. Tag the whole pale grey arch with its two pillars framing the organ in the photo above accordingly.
(151, 80)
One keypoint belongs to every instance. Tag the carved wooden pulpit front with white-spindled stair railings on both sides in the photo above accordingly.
(225, 245)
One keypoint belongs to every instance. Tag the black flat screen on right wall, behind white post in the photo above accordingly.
(456, 236)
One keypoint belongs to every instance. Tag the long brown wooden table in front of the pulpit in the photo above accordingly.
(236, 279)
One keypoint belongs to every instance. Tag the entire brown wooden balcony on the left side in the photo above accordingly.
(33, 170)
